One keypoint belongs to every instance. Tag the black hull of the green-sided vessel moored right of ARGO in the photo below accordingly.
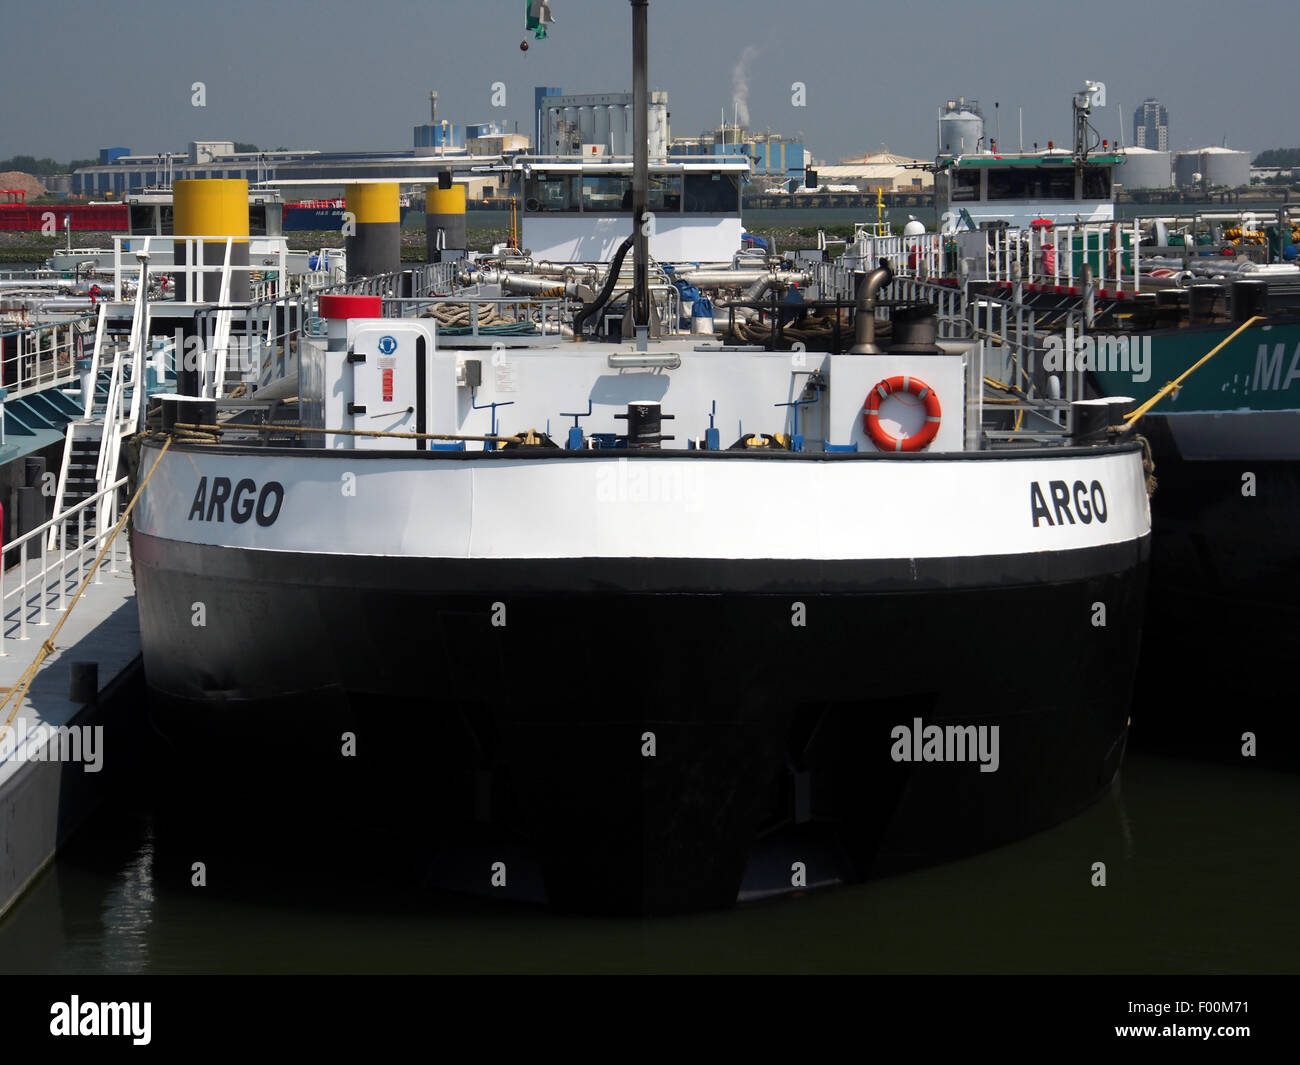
(1224, 612)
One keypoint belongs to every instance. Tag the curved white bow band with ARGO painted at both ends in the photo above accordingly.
(649, 508)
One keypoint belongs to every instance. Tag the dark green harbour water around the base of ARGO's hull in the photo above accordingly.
(1201, 874)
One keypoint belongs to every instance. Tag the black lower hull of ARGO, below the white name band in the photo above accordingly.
(526, 743)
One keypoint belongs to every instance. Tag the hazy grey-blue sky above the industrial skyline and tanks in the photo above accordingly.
(356, 76)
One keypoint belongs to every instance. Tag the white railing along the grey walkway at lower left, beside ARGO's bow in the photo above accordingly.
(37, 590)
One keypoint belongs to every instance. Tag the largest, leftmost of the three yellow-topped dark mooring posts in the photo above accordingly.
(211, 209)
